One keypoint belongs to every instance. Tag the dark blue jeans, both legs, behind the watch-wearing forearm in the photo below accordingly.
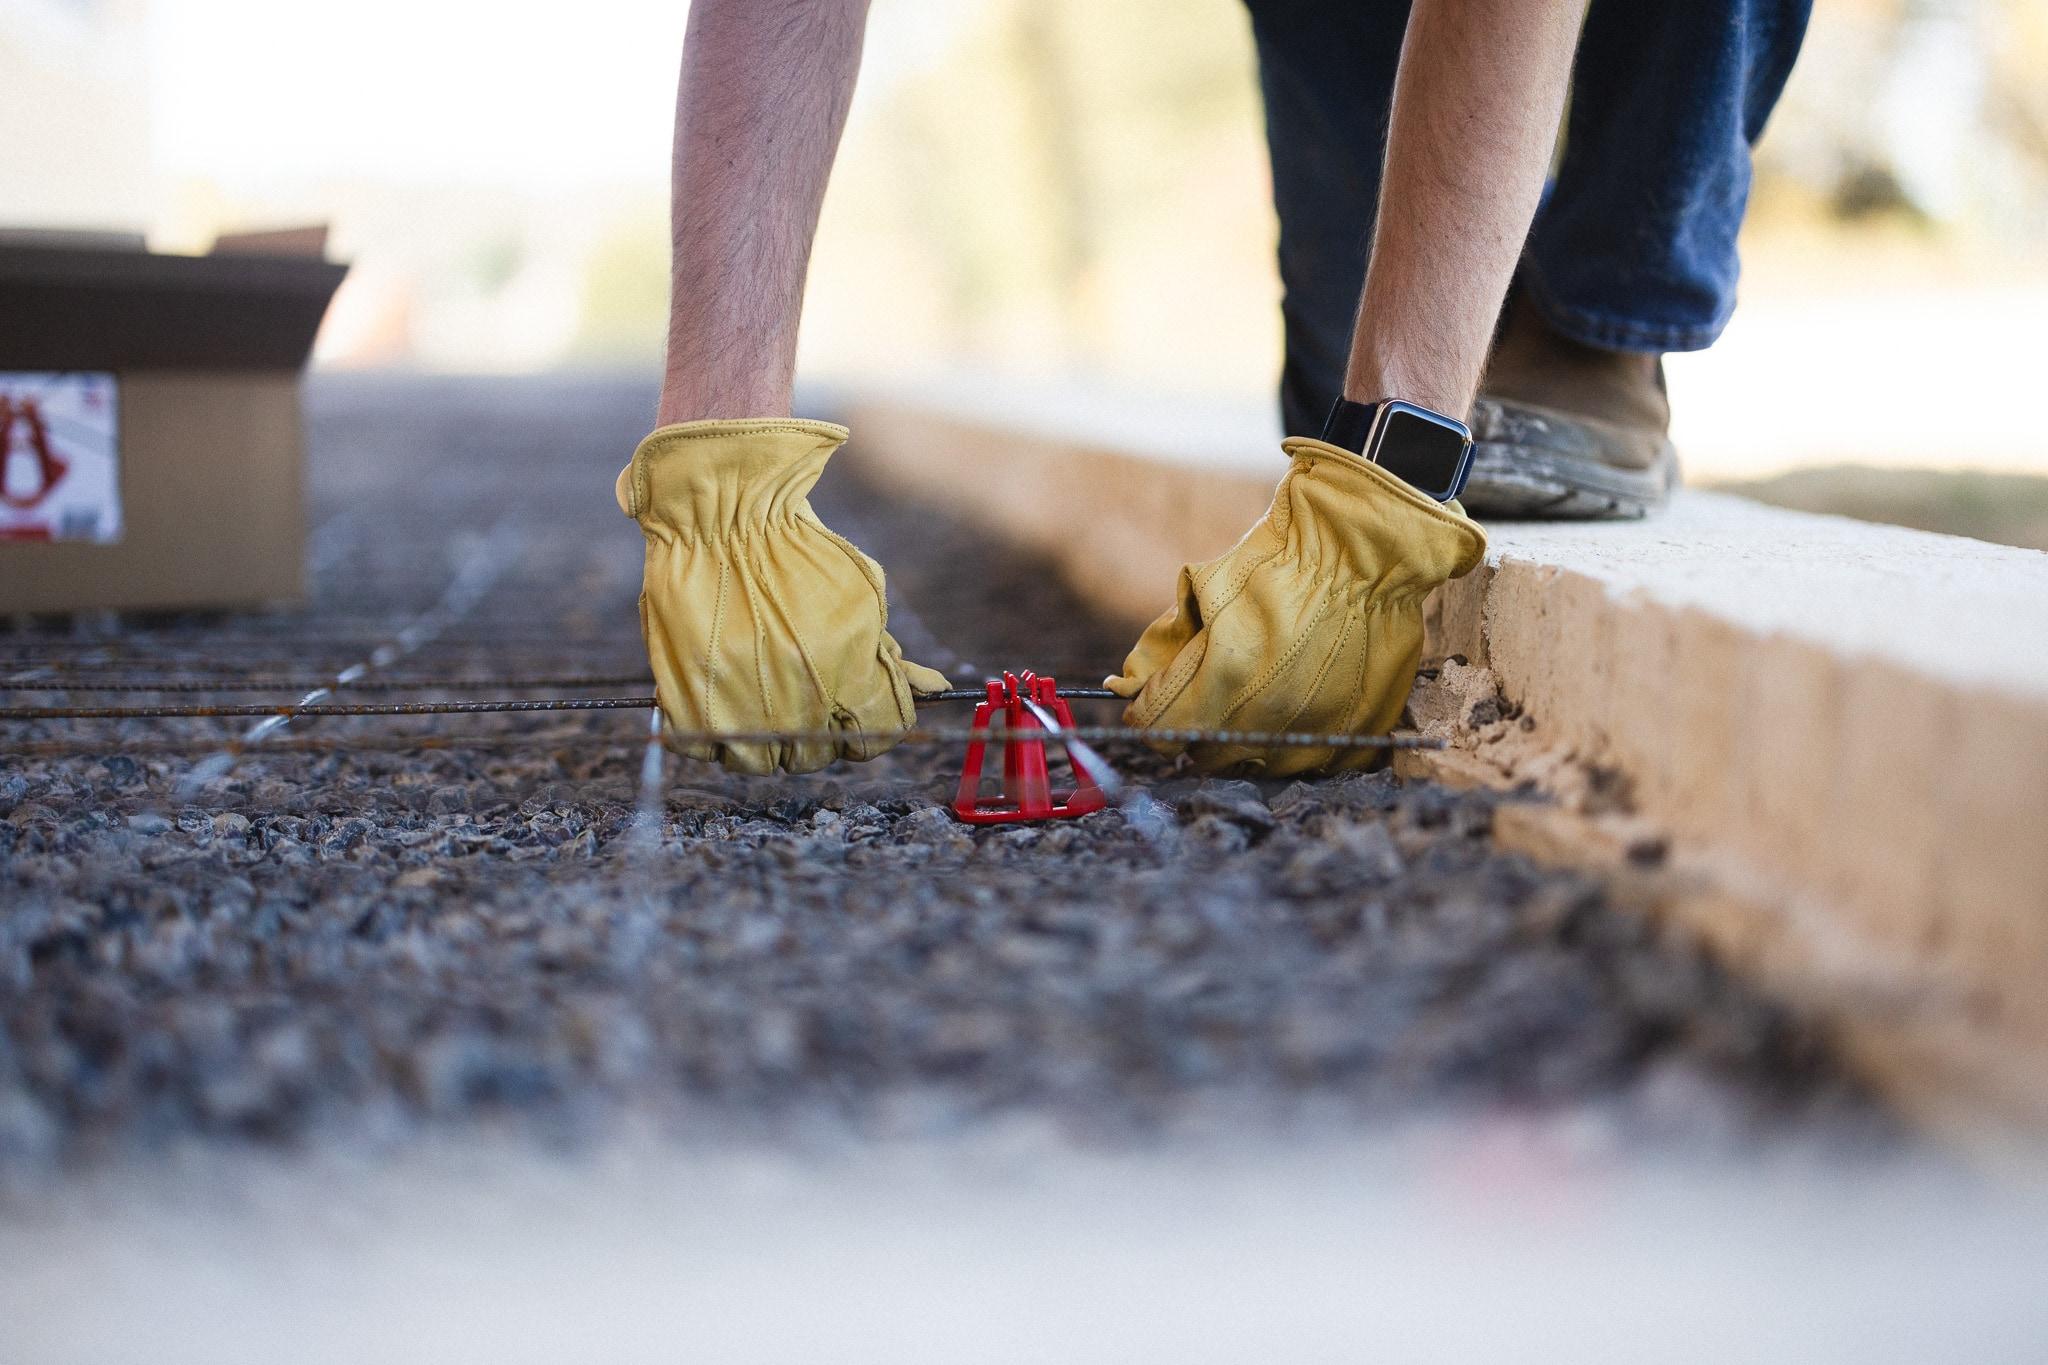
(1635, 243)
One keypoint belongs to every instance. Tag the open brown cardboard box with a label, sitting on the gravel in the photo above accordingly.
(151, 435)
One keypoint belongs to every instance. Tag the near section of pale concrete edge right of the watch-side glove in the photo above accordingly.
(1850, 719)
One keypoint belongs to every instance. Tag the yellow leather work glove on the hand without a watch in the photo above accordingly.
(757, 615)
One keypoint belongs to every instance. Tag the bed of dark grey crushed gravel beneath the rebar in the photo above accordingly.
(333, 940)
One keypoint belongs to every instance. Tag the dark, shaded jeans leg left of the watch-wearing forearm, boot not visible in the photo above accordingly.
(1328, 77)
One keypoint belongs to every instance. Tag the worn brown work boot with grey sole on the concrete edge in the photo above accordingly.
(1568, 431)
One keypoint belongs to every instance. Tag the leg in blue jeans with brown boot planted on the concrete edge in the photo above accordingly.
(1633, 253)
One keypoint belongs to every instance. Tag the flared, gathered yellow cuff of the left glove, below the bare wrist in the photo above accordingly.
(691, 480)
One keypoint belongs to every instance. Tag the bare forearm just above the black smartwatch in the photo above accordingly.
(1476, 116)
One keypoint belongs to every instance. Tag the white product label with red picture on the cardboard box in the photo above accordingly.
(60, 457)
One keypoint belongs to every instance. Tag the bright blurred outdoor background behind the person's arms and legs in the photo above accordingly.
(1054, 193)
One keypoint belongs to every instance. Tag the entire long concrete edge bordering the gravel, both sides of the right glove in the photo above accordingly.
(1834, 736)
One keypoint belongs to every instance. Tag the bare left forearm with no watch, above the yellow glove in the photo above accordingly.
(759, 114)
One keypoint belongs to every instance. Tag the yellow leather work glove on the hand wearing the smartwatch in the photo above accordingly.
(1310, 623)
